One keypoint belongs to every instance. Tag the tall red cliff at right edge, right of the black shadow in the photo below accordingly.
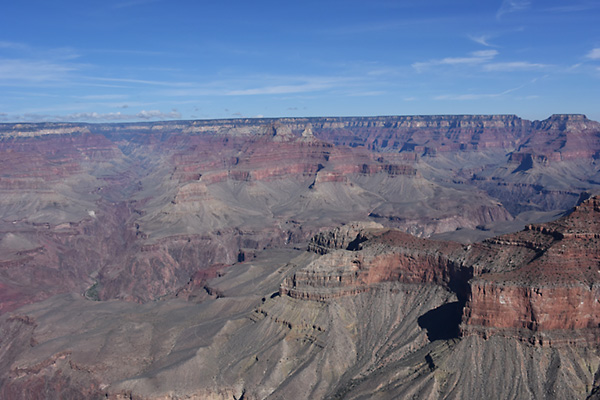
(553, 296)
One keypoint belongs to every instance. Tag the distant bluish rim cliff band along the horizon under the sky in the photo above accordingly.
(561, 133)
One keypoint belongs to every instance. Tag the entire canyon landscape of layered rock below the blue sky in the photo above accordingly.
(359, 257)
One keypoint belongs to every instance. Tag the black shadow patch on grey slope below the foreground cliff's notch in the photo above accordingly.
(442, 323)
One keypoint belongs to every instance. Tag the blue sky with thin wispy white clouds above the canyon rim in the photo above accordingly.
(137, 60)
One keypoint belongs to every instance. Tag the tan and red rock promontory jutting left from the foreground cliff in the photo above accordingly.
(387, 255)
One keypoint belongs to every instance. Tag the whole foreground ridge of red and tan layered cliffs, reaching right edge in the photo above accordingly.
(540, 285)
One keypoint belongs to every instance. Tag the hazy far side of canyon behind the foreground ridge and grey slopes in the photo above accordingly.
(180, 191)
